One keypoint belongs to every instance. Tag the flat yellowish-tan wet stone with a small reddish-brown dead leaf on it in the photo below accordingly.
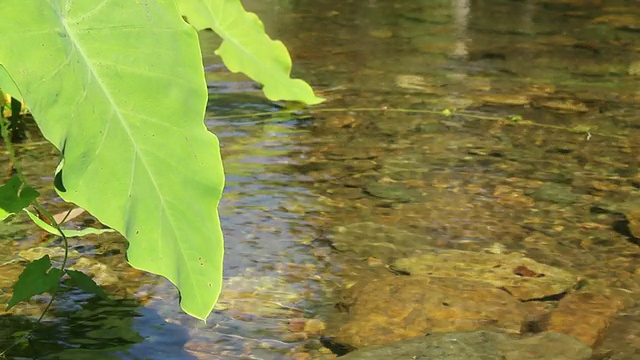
(520, 276)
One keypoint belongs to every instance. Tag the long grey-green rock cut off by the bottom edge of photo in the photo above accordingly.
(479, 345)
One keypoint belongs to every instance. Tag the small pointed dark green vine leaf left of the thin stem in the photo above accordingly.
(37, 277)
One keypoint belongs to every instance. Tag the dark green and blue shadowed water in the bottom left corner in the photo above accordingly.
(116, 329)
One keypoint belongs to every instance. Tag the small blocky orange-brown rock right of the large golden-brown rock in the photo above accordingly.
(584, 316)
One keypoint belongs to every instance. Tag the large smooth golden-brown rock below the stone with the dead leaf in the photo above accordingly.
(399, 307)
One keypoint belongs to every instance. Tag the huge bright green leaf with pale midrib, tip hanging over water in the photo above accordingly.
(119, 88)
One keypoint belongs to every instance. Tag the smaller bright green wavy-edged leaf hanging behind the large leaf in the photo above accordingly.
(247, 48)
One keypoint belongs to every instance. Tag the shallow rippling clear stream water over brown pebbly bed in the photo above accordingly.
(554, 182)
